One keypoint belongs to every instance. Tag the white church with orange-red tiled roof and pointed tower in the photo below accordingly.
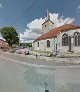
(65, 38)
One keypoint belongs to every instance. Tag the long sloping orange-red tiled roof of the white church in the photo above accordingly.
(54, 32)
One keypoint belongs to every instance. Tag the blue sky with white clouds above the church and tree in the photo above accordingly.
(28, 15)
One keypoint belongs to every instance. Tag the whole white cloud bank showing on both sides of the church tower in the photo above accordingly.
(34, 28)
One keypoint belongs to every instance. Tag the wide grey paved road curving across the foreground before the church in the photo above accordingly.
(20, 74)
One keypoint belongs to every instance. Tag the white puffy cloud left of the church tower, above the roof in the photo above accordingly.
(34, 30)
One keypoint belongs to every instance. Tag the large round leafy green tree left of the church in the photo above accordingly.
(10, 35)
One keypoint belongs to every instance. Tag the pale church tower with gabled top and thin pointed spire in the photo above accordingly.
(48, 24)
